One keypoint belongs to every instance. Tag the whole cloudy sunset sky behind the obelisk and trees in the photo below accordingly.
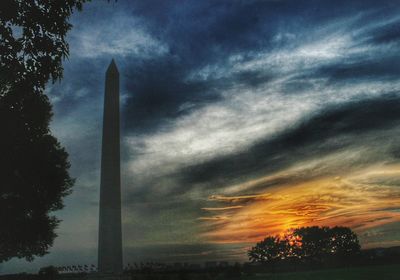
(240, 119)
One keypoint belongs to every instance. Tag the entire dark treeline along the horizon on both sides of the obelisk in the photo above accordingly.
(301, 249)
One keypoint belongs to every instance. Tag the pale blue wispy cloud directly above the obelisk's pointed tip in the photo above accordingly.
(116, 34)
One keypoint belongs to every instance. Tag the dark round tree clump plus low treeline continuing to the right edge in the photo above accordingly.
(307, 248)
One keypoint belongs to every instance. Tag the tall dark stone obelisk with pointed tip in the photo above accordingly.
(110, 236)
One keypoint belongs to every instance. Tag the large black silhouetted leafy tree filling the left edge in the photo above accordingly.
(33, 165)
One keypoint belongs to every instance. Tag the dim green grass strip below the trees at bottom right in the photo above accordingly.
(382, 272)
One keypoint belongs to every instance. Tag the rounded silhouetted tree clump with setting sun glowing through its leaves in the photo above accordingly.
(306, 243)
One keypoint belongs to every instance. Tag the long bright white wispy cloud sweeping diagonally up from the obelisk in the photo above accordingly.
(246, 114)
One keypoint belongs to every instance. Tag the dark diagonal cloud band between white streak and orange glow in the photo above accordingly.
(306, 140)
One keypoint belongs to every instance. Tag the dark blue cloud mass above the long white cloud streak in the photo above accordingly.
(201, 33)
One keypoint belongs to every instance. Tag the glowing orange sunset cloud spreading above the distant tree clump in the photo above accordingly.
(362, 201)
